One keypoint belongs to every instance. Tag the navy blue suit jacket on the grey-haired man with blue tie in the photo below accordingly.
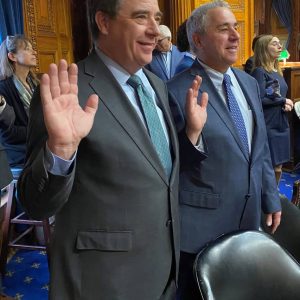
(227, 190)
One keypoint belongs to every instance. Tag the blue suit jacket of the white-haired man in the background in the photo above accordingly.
(157, 65)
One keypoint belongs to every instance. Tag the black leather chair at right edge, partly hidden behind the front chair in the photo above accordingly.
(288, 233)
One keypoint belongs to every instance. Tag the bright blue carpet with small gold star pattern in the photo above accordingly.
(27, 276)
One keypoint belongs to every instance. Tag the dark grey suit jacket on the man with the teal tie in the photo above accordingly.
(116, 230)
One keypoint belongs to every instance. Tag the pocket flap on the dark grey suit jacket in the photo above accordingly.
(104, 240)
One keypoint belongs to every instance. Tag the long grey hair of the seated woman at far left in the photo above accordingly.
(10, 45)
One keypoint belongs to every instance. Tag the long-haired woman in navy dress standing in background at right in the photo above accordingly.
(273, 90)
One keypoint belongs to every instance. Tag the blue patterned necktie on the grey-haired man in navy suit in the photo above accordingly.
(235, 112)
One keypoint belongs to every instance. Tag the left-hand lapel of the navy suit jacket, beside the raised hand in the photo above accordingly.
(216, 102)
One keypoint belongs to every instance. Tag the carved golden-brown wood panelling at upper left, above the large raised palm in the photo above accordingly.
(48, 26)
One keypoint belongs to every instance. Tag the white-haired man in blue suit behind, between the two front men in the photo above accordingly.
(166, 56)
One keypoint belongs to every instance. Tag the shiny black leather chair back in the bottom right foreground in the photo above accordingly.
(247, 265)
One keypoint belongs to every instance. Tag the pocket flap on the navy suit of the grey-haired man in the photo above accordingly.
(205, 200)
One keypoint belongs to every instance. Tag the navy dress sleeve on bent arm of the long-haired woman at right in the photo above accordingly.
(261, 79)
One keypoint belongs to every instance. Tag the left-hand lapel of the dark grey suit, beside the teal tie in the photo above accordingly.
(115, 100)
